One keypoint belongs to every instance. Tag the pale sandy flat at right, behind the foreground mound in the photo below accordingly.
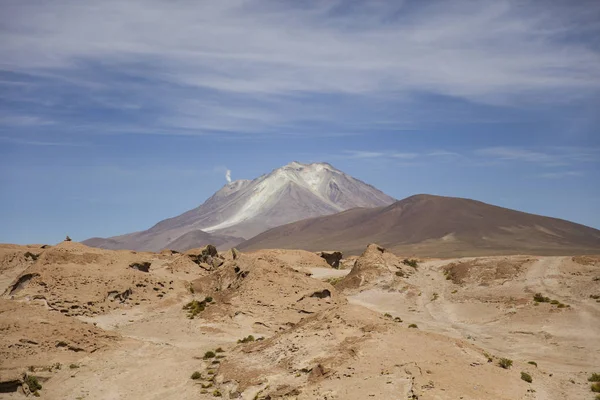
(497, 313)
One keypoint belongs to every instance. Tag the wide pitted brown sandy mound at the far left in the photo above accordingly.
(78, 280)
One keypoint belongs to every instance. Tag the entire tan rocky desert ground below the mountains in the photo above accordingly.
(87, 323)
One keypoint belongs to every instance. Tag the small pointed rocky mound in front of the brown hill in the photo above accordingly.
(375, 267)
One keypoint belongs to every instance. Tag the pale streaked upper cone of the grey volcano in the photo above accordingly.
(292, 192)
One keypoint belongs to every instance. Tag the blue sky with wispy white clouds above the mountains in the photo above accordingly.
(115, 115)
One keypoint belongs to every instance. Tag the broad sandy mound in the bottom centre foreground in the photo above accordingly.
(345, 353)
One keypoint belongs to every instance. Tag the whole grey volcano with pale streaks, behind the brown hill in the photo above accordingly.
(245, 208)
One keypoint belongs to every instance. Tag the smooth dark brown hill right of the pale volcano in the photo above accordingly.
(429, 225)
